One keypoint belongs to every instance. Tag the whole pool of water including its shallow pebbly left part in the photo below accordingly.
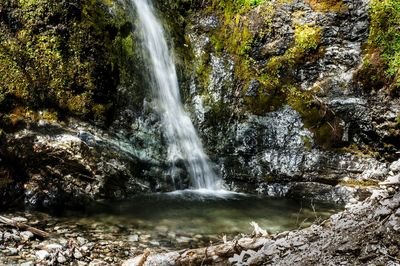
(170, 221)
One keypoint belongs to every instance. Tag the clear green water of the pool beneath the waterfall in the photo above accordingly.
(201, 213)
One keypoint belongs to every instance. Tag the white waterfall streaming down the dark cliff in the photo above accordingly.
(183, 142)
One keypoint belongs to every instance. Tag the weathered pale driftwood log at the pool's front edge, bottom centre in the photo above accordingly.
(212, 255)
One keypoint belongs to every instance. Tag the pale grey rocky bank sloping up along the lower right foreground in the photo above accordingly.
(365, 233)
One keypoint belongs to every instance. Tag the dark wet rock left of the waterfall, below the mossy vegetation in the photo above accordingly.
(71, 166)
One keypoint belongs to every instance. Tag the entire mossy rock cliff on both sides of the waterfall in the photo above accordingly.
(277, 89)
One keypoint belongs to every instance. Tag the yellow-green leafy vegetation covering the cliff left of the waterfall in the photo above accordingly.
(66, 56)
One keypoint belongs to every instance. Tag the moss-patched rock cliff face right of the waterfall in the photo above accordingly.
(274, 93)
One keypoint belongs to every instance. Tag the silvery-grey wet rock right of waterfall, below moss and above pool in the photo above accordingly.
(277, 148)
